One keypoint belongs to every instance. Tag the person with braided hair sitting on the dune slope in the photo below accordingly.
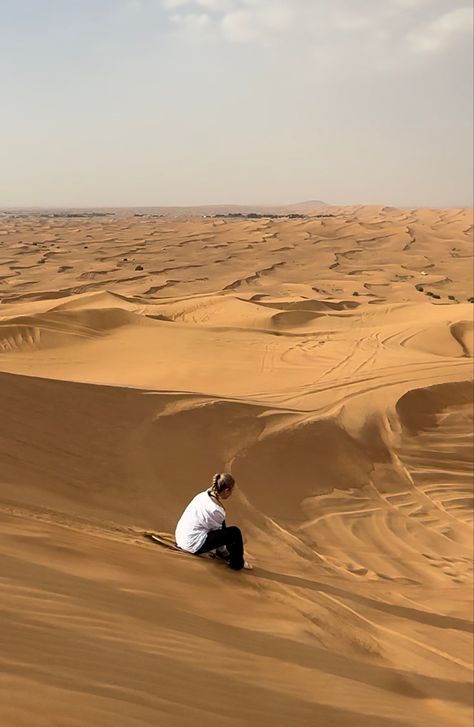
(202, 527)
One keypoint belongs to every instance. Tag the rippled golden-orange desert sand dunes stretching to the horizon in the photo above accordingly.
(139, 356)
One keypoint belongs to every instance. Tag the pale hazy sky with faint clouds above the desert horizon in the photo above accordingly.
(163, 102)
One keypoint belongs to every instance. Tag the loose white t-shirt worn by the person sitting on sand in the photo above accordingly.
(202, 515)
